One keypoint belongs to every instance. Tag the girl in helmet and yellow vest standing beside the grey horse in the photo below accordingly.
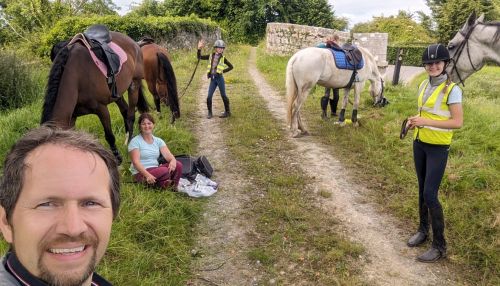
(439, 112)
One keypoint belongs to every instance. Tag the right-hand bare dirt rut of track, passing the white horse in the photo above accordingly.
(388, 261)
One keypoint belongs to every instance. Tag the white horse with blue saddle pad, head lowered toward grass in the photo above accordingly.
(312, 66)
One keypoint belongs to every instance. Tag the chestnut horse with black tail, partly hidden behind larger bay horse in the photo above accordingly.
(160, 76)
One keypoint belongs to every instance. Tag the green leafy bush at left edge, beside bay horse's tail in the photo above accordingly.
(19, 85)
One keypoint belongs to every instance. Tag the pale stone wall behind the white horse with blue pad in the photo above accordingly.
(286, 39)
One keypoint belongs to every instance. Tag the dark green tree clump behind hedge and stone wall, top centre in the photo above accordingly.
(246, 20)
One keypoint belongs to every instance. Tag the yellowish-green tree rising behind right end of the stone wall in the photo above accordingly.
(401, 28)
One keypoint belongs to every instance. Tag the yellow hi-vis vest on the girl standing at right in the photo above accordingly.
(435, 108)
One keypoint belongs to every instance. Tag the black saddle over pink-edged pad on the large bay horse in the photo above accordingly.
(98, 37)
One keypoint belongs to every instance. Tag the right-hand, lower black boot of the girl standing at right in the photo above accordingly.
(438, 248)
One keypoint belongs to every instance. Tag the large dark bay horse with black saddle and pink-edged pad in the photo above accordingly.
(77, 87)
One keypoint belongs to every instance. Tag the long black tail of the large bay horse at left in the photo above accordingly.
(54, 81)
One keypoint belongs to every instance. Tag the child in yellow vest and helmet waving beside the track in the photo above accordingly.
(217, 65)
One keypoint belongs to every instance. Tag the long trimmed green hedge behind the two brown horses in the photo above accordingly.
(165, 28)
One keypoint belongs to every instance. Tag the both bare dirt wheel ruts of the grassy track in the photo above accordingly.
(388, 261)
